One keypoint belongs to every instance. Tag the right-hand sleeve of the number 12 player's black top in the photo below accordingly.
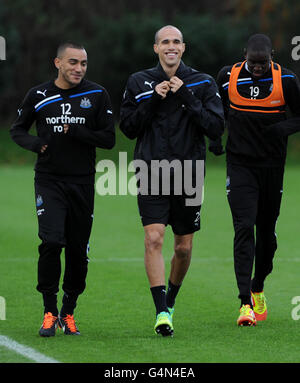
(99, 132)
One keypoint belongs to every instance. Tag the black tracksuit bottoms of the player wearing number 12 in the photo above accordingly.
(65, 216)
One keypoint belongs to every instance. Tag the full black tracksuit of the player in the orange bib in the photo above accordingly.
(256, 154)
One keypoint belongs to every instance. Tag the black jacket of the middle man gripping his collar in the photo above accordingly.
(174, 127)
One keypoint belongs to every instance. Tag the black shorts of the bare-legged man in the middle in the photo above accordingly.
(169, 209)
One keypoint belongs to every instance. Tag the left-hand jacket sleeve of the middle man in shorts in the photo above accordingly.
(135, 115)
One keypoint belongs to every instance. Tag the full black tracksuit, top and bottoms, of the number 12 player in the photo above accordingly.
(64, 175)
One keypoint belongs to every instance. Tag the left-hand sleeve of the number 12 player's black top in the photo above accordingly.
(19, 130)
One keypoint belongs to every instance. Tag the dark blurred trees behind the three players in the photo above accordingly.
(119, 35)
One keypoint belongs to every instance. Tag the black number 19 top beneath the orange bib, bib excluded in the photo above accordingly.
(252, 140)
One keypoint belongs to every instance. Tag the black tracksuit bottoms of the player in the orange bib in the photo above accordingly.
(254, 195)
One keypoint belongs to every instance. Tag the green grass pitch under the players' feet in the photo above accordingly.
(116, 313)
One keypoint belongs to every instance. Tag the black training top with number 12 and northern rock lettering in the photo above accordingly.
(69, 157)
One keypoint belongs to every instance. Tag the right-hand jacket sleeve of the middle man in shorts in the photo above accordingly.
(207, 112)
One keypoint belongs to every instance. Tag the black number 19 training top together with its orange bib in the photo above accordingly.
(251, 106)
